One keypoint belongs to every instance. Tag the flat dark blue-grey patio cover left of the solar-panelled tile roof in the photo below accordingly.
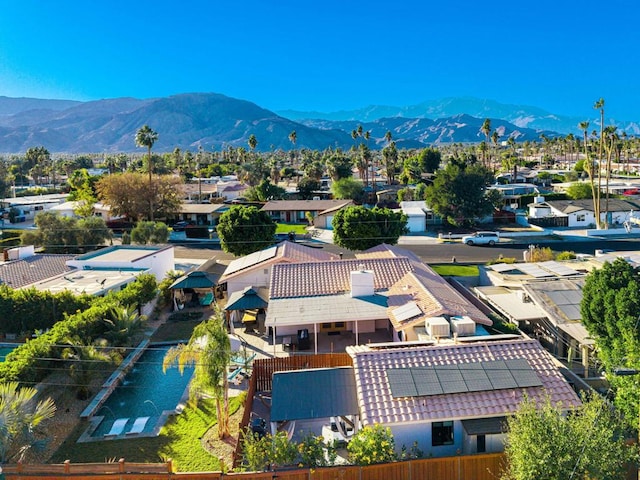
(313, 393)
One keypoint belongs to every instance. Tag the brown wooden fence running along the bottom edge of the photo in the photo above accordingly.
(472, 467)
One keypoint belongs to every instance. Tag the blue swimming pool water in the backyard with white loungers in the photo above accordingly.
(145, 391)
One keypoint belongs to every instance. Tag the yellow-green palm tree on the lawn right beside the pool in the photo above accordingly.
(209, 350)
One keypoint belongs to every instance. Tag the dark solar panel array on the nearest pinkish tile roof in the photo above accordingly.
(461, 378)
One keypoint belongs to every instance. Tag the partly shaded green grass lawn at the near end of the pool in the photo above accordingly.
(179, 440)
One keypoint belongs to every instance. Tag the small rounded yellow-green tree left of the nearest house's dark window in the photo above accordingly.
(371, 445)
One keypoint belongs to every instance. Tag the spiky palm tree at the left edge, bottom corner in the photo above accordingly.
(19, 418)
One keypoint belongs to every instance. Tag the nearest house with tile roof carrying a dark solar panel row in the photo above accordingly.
(451, 398)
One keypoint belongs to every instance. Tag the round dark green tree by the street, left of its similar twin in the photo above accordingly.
(243, 230)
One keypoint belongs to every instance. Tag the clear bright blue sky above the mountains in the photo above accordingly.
(327, 55)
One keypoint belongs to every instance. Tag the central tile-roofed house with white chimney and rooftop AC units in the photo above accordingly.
(385, 288)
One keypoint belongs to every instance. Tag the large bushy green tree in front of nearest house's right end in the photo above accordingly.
(544, 442)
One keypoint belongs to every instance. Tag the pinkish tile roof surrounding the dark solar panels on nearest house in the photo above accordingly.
(378, 406)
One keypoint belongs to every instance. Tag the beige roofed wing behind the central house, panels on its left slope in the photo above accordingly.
(254, 270)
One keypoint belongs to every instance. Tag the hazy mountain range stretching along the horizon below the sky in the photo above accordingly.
(215, 121)
